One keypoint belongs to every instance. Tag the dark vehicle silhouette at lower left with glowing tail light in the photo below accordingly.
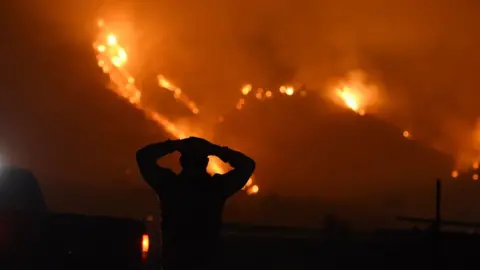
(33, 237)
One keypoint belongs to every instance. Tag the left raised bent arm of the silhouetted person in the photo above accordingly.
(147, 158)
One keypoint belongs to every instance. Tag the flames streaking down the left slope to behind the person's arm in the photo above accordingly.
(113, 58)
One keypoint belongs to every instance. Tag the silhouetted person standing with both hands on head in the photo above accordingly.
(192, 202)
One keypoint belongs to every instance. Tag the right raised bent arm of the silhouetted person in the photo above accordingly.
(243, 167)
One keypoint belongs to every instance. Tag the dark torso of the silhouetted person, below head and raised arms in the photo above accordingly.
(191, 218)
